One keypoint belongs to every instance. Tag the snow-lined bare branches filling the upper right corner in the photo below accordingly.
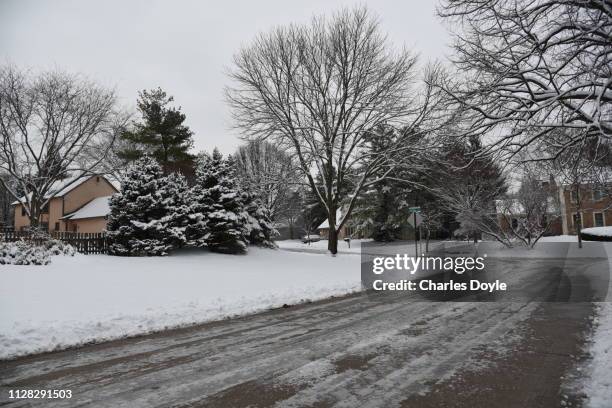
(529, 67)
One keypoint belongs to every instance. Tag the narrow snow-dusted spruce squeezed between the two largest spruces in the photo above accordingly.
(174, 194)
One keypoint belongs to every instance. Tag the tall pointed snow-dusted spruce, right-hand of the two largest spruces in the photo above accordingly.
(217, 195)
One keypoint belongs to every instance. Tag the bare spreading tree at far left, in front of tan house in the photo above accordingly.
(49, 124)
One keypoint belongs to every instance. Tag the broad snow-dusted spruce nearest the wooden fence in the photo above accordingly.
(134, 224)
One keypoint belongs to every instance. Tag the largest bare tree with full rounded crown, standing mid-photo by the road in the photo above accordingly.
(316, 90)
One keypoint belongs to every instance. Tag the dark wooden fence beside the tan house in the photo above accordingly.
(83, 242)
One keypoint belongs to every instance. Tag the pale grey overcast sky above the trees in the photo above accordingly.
(182, 46)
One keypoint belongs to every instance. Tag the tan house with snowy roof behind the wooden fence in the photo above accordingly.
(80, 206)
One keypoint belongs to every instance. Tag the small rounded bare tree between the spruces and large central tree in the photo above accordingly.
(270, 174)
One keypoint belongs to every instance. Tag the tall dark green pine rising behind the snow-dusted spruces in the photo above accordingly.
(161, 133)
